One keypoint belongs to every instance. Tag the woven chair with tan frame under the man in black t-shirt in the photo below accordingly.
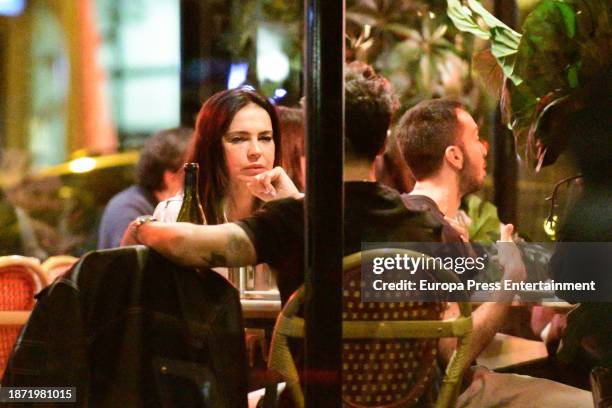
(389, 350)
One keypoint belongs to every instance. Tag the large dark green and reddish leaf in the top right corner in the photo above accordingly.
(564, 44)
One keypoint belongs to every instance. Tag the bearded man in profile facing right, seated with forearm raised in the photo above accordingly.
(440, 143)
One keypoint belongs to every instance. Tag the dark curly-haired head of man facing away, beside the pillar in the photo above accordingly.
(369, 105)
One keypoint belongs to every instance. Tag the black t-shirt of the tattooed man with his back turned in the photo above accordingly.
(372, 213)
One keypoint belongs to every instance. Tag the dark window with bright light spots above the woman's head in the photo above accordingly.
(228, 43)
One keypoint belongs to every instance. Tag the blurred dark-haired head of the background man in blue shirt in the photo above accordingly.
(161, 161)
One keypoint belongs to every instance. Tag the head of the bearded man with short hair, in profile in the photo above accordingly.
(439, 135)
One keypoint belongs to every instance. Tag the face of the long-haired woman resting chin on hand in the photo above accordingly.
(248, 143)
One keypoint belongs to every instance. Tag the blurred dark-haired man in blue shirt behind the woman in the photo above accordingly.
(159, 175)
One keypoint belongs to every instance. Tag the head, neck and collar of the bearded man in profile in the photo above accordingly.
(440, 144)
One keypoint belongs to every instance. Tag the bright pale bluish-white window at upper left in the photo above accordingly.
(140, 53)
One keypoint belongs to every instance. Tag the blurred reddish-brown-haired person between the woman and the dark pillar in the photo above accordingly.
(292, 128)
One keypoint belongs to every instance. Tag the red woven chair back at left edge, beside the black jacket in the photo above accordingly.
(20, 279)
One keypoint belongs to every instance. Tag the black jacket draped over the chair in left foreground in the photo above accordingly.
(130, 329)
